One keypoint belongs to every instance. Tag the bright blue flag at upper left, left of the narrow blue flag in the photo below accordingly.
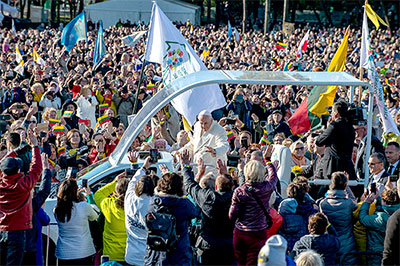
(74, 31)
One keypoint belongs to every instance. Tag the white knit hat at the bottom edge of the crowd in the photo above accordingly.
(273, 253)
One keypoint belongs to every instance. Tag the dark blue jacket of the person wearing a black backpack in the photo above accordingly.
(183, 210)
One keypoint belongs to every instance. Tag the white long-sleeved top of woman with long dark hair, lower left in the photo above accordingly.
(74, 238)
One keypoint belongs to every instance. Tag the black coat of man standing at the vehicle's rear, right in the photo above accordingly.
(338, 139)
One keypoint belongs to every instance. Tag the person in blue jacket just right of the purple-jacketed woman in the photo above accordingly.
(294, 224)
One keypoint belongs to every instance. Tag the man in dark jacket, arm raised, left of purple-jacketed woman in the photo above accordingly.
(215, 241)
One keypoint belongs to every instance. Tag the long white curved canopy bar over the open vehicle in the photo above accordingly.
(179, 86)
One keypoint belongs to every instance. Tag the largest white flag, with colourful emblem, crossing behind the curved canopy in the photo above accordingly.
(167, 46)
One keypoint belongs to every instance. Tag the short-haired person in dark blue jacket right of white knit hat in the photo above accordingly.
(322, 239)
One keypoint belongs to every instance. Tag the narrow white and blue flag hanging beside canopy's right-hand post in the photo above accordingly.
(367, 61)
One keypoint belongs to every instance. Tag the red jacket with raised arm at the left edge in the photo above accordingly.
(15, 196)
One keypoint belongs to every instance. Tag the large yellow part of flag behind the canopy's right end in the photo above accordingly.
(337, 64)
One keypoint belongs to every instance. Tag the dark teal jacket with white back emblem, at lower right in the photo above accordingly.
(376, 229)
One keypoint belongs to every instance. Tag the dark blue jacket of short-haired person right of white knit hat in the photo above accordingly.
(327, 245)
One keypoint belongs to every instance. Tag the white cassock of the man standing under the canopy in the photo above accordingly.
(215, 138)
